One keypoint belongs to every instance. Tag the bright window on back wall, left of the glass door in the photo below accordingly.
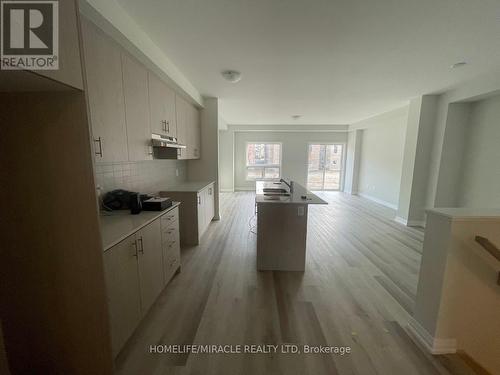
(263, 161)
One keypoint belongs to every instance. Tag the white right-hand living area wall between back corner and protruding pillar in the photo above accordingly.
(382, 156)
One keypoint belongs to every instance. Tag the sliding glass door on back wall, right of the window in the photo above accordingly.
(324, 170)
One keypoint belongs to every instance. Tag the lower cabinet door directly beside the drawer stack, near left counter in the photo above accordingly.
(150, 263)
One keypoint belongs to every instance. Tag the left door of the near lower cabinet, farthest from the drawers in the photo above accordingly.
(122, 282)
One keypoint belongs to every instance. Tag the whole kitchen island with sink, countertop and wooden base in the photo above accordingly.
(282, 225)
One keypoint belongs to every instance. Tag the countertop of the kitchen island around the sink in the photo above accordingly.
(295, 198)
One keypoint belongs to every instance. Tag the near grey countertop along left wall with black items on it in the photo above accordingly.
(118, 225)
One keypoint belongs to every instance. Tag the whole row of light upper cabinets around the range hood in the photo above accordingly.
(128, 103)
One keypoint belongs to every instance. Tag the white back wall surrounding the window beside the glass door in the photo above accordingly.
(294, 152)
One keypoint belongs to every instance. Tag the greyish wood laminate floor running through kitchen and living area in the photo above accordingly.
(357, 291)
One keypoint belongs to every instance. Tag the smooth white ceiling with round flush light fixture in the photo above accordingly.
(332, 61)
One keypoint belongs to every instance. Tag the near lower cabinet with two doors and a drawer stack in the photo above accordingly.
(136, 271)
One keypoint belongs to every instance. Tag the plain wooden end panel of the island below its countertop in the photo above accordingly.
(281, 236)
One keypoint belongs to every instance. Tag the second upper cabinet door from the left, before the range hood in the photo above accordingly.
(135, 88)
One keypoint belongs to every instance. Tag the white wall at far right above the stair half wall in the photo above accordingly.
(480, 179)
